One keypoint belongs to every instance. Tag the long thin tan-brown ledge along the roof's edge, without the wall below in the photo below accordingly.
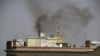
(57, 49)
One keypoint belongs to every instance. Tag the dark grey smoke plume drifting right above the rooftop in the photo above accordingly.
(65, 17)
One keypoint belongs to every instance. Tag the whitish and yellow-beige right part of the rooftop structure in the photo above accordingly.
(52, 41)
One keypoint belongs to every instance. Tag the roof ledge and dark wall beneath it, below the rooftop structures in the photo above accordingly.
(48, 51)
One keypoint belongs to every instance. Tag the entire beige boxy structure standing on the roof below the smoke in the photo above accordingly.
(45, 42)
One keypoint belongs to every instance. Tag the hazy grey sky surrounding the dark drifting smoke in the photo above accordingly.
(16, 17)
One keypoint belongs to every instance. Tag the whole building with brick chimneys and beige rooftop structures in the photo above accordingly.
(46, 46)
